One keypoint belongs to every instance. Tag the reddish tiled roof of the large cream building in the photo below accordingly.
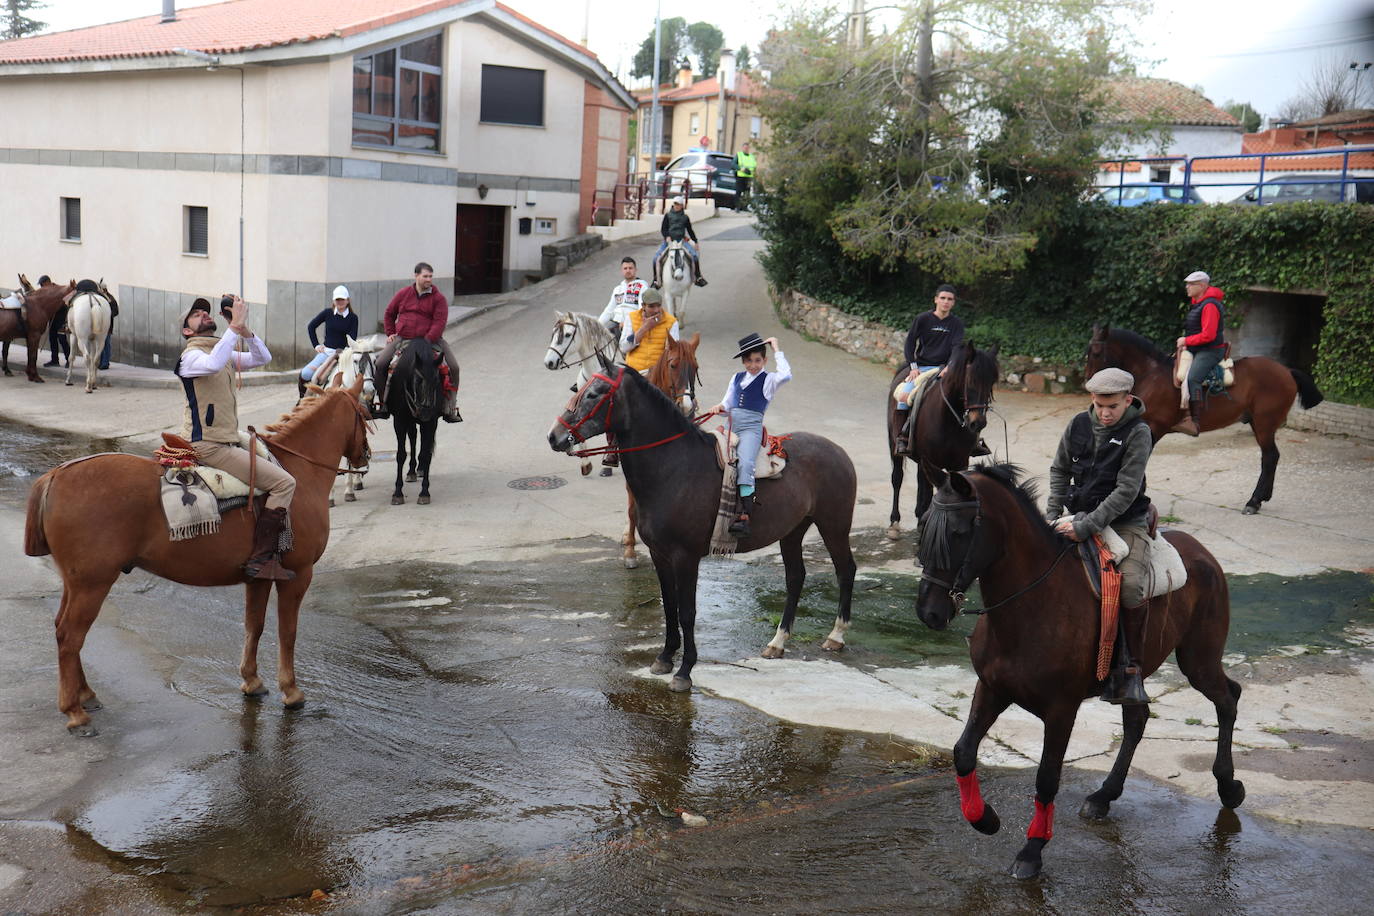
(233, 27)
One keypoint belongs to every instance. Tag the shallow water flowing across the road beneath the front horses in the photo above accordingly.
(483, 740)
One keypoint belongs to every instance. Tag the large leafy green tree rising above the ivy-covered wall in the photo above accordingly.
(956, 159)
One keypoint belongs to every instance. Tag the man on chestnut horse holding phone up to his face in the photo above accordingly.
(211, 422)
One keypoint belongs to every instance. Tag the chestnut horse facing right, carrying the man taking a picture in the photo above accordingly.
(104, 516)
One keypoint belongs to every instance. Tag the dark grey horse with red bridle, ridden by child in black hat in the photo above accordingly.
(671, 468)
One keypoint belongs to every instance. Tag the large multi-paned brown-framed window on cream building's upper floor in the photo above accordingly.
(398, 98)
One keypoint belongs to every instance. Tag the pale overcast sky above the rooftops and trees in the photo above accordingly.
(1258, 51)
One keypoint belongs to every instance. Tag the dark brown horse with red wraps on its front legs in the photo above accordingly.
(1037, 643)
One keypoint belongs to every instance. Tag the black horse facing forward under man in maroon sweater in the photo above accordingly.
(416, 402)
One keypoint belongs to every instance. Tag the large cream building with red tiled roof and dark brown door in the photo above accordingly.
(281, 148)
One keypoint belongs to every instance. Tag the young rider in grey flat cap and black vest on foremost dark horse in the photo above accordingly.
(1099, 480)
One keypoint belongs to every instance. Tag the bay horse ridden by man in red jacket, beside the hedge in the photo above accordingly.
(1262, 396)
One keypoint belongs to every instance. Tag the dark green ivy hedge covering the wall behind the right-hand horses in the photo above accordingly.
(1125, 266)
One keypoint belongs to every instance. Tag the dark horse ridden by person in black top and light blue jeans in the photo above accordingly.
(949, 424)
